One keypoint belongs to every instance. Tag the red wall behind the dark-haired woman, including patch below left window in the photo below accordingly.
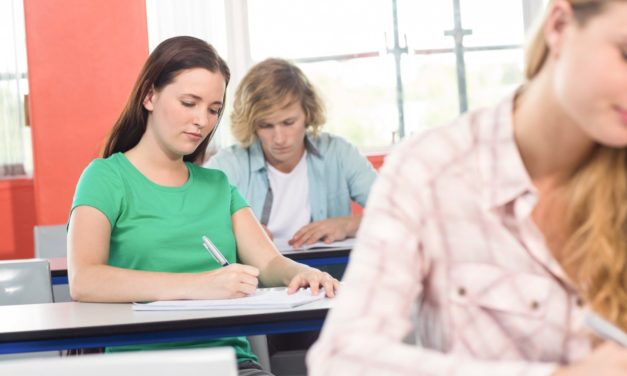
(83, 57)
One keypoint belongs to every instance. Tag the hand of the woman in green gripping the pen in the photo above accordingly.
(232, 281)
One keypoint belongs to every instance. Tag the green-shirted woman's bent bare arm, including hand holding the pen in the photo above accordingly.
(92, 280)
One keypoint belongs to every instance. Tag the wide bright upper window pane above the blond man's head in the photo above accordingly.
(299, 28)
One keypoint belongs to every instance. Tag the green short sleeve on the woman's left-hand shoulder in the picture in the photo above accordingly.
(100, 186)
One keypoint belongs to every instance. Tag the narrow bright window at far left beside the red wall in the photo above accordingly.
(15, 142)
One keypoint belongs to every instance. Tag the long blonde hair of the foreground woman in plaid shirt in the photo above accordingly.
(595, 196)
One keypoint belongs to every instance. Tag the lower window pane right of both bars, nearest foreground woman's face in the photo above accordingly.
(491, 75)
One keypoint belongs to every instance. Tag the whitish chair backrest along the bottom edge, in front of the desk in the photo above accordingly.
(214, 361)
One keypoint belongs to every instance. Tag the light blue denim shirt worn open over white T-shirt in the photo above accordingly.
(337, 173)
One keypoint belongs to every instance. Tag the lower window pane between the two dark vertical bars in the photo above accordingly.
(430, 88)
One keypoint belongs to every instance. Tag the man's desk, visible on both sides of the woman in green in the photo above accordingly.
(312, 257)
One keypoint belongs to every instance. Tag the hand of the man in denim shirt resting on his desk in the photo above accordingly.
(328, 231)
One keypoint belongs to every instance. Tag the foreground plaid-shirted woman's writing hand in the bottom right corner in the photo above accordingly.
(609, 359)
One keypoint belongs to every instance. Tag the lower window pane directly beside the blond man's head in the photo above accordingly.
(359, 96)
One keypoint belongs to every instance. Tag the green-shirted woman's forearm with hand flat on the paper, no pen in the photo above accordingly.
(255, 248)
